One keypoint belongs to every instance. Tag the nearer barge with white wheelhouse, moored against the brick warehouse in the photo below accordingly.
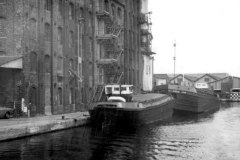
(122, 108)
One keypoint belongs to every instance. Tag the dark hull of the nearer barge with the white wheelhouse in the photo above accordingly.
(126, 117)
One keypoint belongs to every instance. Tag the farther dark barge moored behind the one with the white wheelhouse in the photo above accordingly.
(190, 99)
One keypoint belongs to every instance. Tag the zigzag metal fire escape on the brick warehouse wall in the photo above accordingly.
(110, 61)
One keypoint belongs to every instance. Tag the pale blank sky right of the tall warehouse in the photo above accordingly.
(207, 34)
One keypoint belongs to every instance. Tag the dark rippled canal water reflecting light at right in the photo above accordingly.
(212, 136)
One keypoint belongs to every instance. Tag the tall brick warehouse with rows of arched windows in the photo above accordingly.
(55, 55)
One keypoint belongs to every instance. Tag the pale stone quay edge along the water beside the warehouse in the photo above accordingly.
(21, 127)
